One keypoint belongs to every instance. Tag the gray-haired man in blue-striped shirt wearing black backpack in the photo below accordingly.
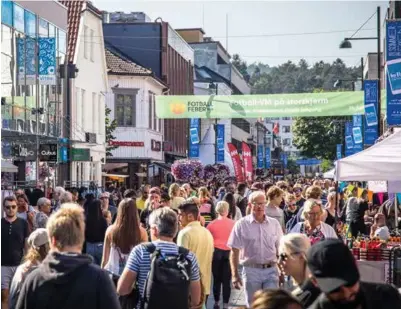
(167, 275)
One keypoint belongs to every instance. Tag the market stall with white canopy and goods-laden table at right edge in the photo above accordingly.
(377, 261)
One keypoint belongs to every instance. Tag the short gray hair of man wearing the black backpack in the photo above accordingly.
(165, 220)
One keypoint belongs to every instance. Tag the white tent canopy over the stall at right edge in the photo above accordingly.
(382, 162)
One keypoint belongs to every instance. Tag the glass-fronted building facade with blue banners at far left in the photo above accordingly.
(33, 44)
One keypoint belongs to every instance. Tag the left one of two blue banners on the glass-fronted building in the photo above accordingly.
(26, 64)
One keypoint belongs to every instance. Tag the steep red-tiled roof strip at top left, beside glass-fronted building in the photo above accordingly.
(74, 18)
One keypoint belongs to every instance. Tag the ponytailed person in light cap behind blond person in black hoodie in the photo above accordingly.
(38, 247)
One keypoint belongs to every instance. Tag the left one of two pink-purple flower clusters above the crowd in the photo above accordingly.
(191, 171)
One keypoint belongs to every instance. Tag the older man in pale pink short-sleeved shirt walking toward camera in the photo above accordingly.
(256, 237)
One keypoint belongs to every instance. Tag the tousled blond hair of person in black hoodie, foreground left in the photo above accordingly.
(67, 226)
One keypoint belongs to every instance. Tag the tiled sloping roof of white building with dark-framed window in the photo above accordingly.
(117, 63)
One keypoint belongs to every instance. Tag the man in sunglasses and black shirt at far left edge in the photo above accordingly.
(14, 232)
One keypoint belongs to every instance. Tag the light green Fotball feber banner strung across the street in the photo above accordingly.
(261, 105)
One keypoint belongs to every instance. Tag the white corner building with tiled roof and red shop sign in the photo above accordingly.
(139, 134)
